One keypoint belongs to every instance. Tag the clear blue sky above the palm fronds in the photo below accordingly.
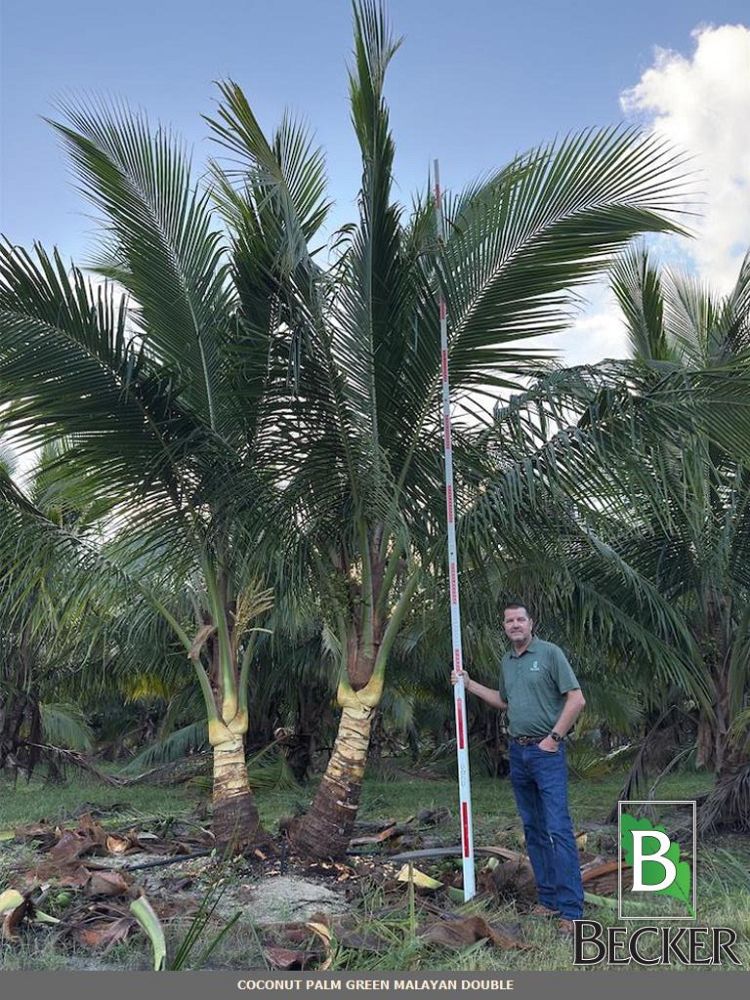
(474, 82)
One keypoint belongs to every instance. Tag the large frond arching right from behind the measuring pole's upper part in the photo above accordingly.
(522, 244)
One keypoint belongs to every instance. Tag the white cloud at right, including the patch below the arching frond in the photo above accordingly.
(701, 103)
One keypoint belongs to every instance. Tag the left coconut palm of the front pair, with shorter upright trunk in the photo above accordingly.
(163, 421)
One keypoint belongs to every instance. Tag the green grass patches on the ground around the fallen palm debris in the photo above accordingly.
(724, 879)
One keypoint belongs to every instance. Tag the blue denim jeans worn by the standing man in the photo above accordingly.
(540, 785)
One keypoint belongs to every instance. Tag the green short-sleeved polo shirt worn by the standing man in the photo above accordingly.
(534, 686)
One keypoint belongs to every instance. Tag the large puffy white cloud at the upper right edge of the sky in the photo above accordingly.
(701, 103)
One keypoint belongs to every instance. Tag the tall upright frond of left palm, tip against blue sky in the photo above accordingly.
(166, 250)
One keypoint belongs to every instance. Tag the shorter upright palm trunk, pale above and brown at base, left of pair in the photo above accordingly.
(236, 824)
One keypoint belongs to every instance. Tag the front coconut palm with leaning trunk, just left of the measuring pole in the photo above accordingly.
(363, 466)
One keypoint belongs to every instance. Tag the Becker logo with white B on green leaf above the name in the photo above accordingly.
(656, 882)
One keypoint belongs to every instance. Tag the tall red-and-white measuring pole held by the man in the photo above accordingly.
(459, 694)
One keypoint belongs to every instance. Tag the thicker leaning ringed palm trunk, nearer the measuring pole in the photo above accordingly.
(326, 829)
